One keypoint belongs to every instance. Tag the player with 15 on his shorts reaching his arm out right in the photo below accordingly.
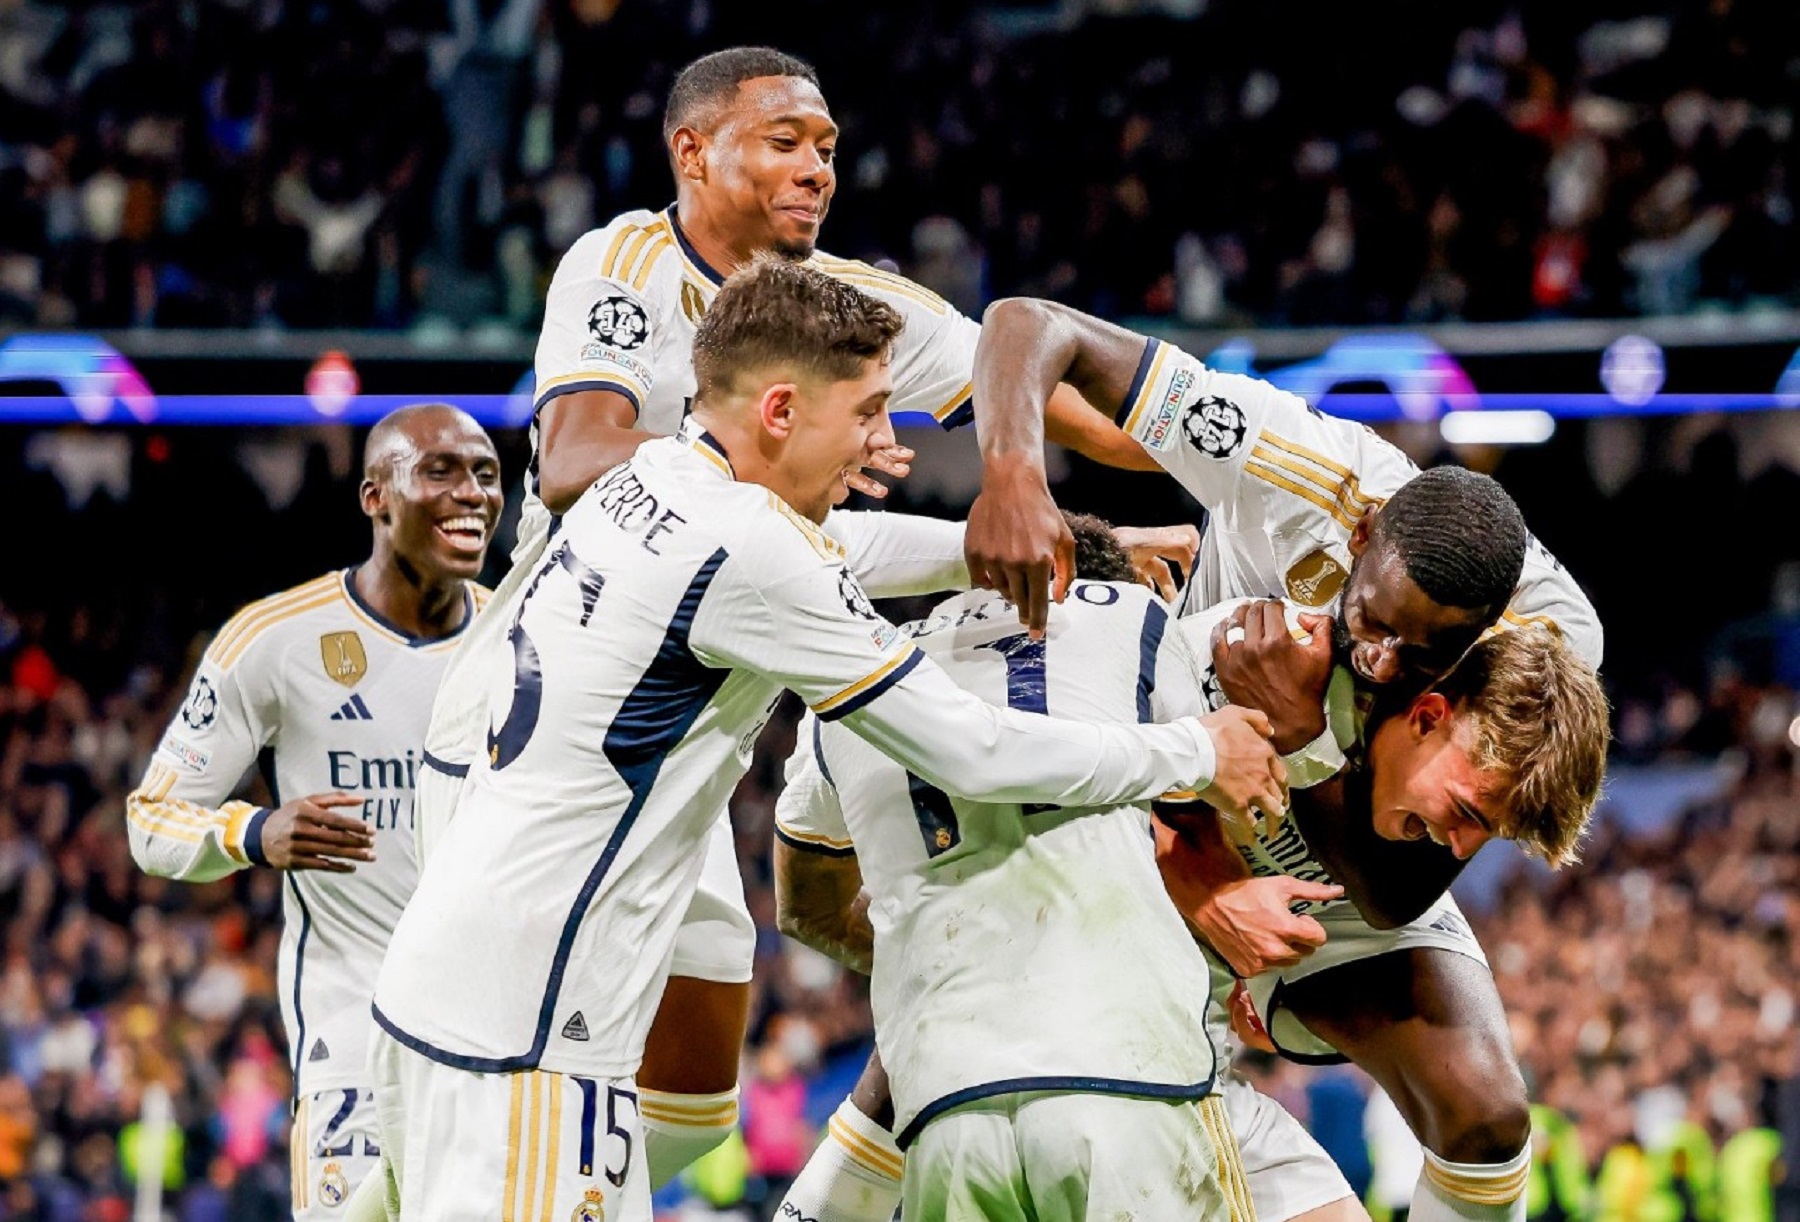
(683, 595)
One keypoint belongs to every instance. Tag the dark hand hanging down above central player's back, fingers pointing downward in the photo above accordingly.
(1020, 544)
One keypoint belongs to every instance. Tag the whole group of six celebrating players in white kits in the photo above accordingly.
(559, 1009)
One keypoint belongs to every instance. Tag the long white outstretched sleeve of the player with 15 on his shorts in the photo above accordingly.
(809, 633)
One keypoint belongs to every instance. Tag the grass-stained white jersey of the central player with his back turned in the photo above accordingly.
(1020, 948)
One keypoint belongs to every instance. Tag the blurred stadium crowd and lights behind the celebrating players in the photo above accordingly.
(1578, 210)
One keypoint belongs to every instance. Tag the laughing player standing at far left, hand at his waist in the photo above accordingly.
(334, 679)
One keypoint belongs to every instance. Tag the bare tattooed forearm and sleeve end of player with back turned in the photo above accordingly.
(820, 895)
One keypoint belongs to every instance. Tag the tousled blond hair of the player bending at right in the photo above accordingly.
(1536, 717)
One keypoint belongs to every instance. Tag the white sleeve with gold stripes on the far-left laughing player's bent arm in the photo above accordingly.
(177, 820)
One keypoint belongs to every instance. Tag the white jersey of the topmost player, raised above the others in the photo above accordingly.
(627, 298)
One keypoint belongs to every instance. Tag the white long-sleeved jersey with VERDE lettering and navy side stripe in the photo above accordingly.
(647, 654)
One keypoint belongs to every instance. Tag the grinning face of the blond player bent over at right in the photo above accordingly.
(1425, 784)
